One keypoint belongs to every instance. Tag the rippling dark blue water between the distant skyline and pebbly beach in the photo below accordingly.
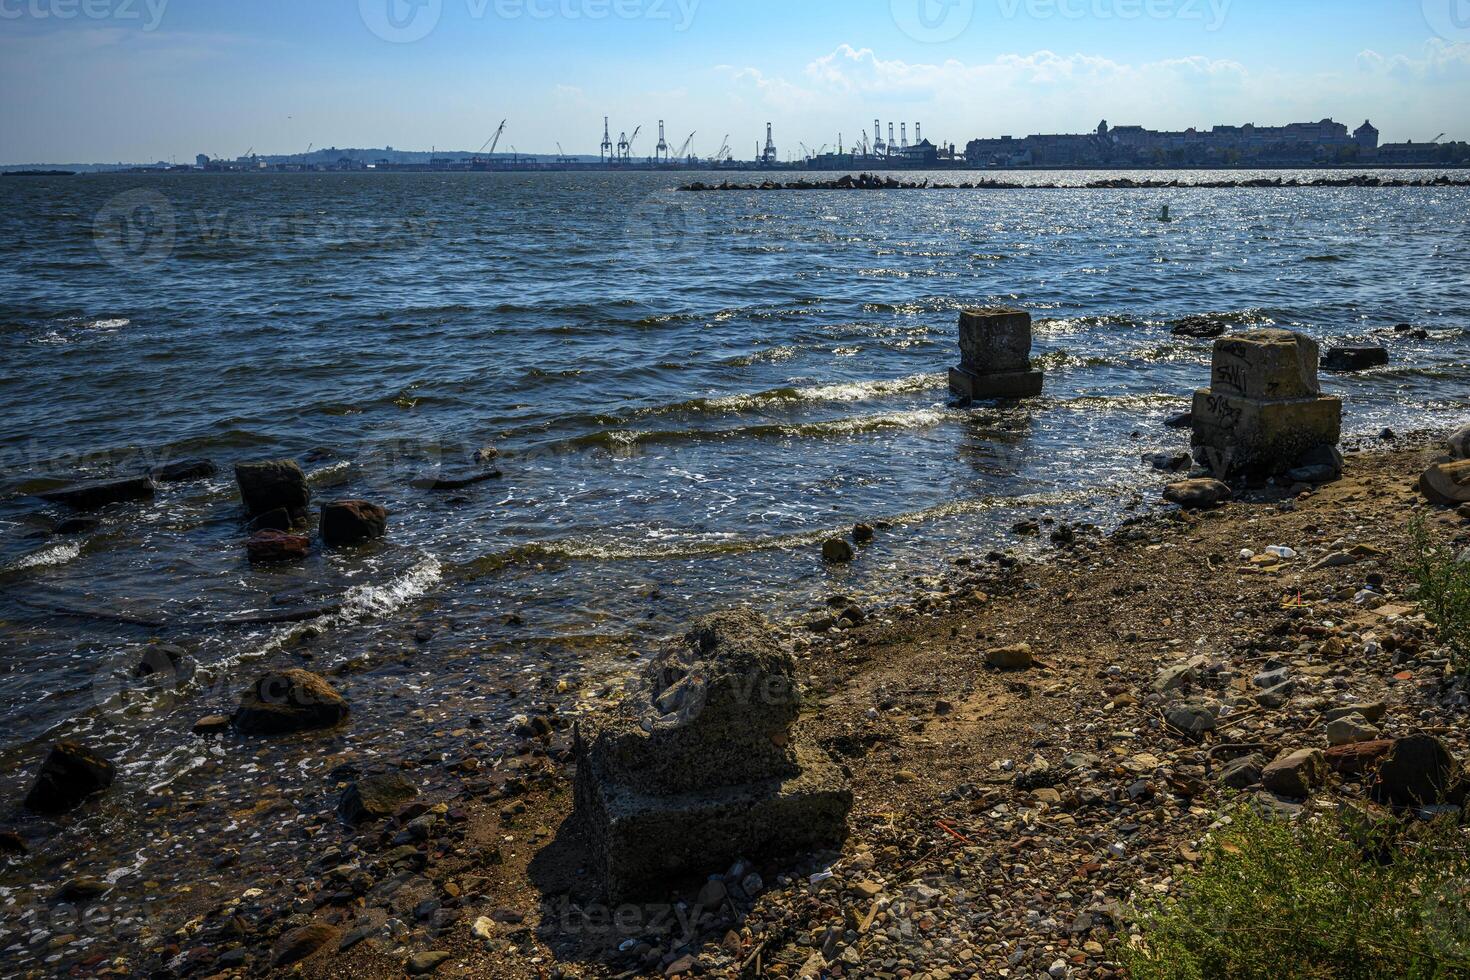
(689, 393)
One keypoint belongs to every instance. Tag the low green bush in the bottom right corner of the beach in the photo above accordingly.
(1335, 897)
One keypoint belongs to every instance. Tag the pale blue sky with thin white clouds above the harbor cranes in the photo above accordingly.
(164, 80)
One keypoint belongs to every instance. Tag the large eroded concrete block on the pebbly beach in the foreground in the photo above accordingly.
(705, 769)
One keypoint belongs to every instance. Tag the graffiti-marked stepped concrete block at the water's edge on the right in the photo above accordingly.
(1265, 414)
